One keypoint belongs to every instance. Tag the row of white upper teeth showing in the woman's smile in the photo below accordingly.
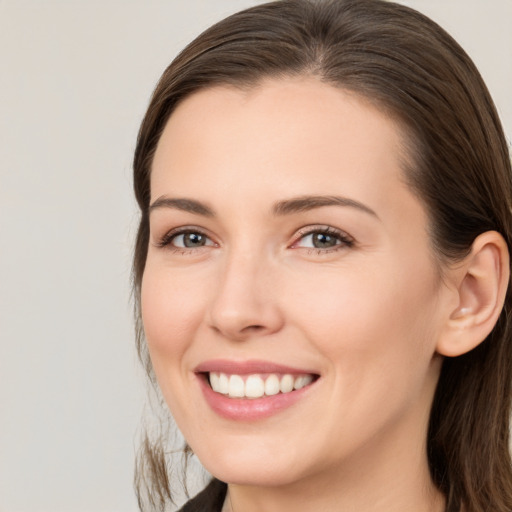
(255, 386)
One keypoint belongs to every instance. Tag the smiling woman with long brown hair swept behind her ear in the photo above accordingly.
(322, 264)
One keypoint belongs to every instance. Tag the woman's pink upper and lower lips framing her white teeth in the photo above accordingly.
(248, 409)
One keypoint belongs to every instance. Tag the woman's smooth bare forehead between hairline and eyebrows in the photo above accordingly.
(289, 134)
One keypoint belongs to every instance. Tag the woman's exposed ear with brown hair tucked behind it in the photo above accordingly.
(480, 283)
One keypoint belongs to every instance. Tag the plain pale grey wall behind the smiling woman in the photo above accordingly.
(75, 78)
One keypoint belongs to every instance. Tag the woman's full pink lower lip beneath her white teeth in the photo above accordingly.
(250, 409)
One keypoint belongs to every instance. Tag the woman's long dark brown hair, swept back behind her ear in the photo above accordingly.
(408, 66)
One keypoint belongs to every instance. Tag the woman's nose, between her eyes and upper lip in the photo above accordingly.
(245, 303)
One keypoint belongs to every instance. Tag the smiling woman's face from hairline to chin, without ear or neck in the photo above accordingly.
(286, 250)
